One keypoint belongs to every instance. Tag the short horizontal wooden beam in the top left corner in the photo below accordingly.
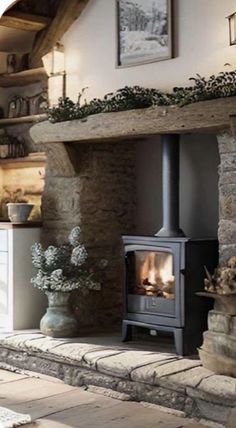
(24, 21)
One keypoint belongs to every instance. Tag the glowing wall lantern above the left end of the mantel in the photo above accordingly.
(54, 64)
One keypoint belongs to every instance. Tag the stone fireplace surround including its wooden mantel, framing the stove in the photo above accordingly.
(91, 181)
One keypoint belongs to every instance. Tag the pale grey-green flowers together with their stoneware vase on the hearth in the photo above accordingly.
(60, 270)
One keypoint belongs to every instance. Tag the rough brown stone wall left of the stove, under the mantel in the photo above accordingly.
(101, 198)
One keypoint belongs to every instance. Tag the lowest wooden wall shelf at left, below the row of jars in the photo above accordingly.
(32, 160)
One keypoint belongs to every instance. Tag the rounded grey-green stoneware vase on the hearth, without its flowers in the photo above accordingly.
(58, 321)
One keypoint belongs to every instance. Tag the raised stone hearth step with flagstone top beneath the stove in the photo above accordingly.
(155, 377)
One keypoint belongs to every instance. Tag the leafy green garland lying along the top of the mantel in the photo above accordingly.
(136, 97)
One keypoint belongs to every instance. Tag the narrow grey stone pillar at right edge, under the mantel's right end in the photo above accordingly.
(227, 195)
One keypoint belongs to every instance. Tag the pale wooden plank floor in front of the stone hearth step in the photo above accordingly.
(52, 404)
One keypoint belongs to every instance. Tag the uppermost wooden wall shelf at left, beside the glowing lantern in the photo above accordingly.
(23, 78)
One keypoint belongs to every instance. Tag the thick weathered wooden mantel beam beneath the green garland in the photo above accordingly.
(202, 117)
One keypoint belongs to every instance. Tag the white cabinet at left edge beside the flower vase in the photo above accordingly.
(21, 305)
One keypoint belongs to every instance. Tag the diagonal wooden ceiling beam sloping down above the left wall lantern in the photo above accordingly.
(67, 13)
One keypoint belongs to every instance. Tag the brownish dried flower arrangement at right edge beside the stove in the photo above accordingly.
(223, 281)
